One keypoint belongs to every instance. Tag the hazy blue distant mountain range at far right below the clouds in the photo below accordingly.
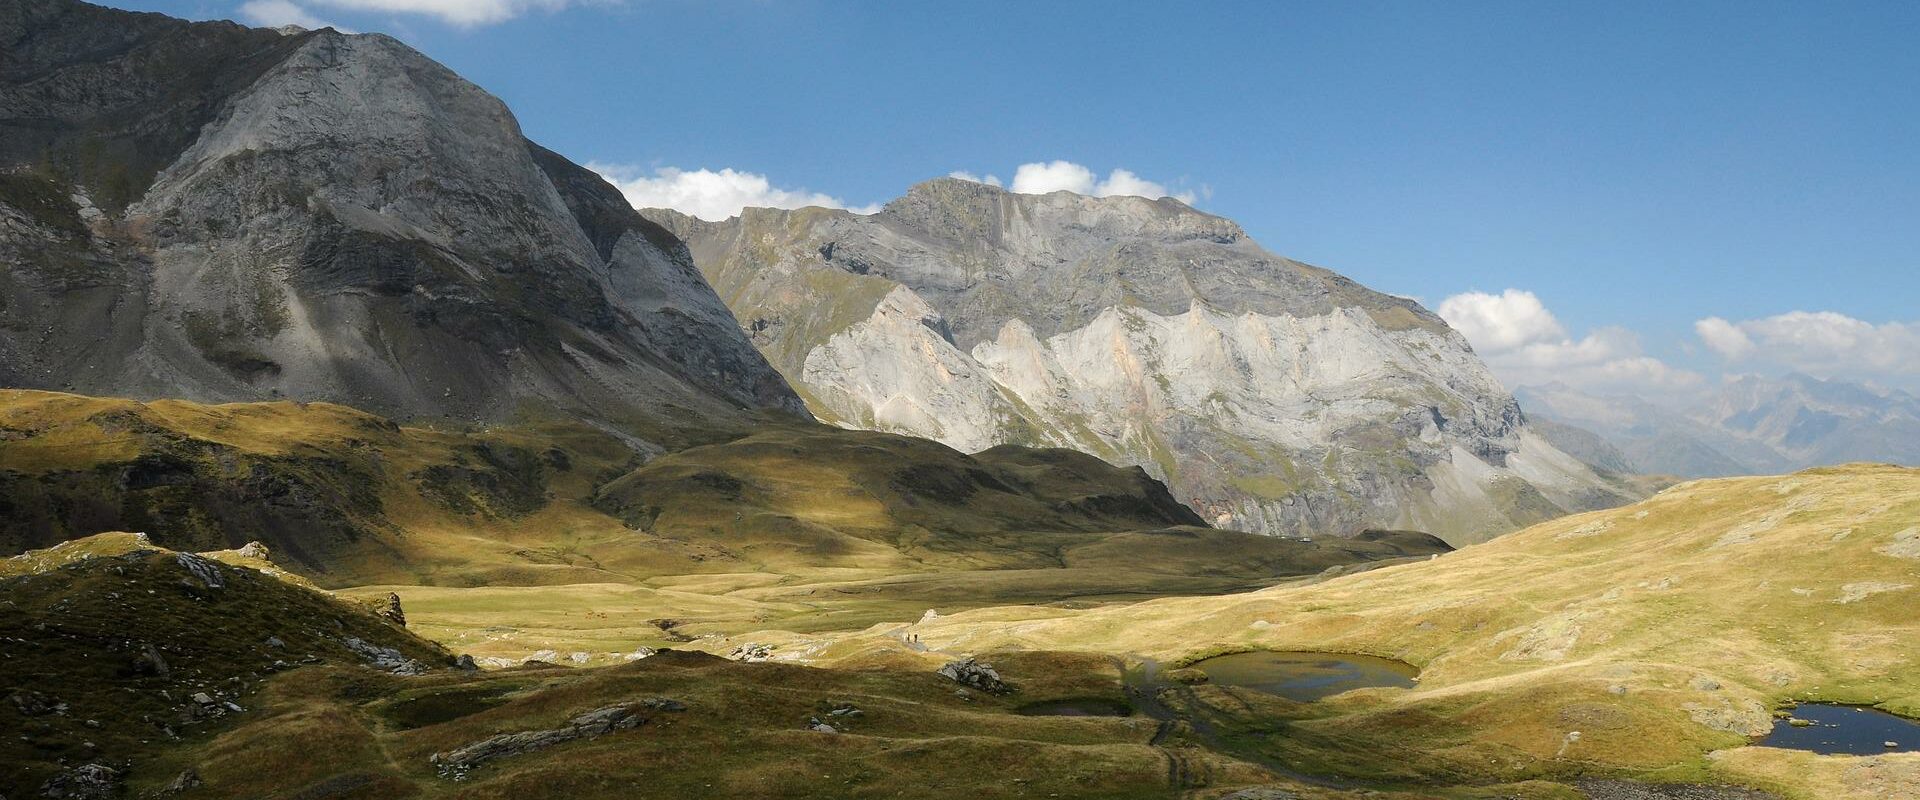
(1748, 427)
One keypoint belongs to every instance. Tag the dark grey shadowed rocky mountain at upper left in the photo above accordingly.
(212, 212)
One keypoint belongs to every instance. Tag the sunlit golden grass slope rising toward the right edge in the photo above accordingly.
(1662, 632)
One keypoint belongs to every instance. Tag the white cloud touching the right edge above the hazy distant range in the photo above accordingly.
(1819, 342)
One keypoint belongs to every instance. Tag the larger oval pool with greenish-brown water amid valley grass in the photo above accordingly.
(1307, 676)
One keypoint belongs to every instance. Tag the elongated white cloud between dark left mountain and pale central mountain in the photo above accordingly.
(709, 195)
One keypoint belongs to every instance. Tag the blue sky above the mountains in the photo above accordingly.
(1629, 170)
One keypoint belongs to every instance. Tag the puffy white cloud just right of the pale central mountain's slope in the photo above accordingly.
(1525, 344)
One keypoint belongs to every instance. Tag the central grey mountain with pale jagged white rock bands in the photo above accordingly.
(1270, 394)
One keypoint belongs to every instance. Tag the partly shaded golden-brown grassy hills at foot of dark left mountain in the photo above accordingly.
(502, 536)
